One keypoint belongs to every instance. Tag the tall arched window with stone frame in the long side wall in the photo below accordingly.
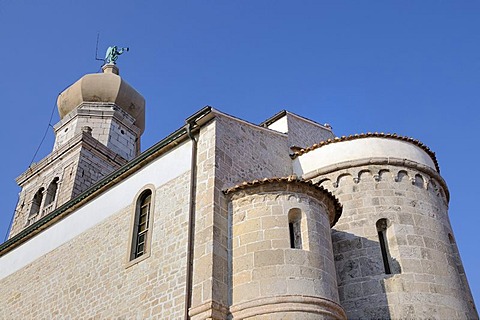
(142, 225)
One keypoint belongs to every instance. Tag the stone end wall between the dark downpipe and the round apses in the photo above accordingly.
(229, 152)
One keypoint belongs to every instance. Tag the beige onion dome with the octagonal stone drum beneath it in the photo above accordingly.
(107, 104)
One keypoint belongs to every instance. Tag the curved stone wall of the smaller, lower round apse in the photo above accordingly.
(281, 271)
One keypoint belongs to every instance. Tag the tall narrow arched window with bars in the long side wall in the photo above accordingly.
(141, 227)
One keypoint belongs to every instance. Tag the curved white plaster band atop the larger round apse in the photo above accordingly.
(358, 149)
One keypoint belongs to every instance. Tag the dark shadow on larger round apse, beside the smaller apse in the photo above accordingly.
(360, 276)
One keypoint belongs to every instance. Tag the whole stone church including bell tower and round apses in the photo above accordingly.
(225, 219)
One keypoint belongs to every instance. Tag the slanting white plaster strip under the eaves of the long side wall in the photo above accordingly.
(160, 171)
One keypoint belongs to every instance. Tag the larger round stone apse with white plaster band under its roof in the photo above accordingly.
(395, 252)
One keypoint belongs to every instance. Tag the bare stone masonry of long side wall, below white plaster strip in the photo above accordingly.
(88, 278)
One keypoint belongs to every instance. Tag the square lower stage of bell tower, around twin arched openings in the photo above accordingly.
(77, 165)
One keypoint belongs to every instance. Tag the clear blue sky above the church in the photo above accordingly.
(409, 67)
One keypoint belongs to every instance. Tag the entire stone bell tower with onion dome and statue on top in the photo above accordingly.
(101, 120)
